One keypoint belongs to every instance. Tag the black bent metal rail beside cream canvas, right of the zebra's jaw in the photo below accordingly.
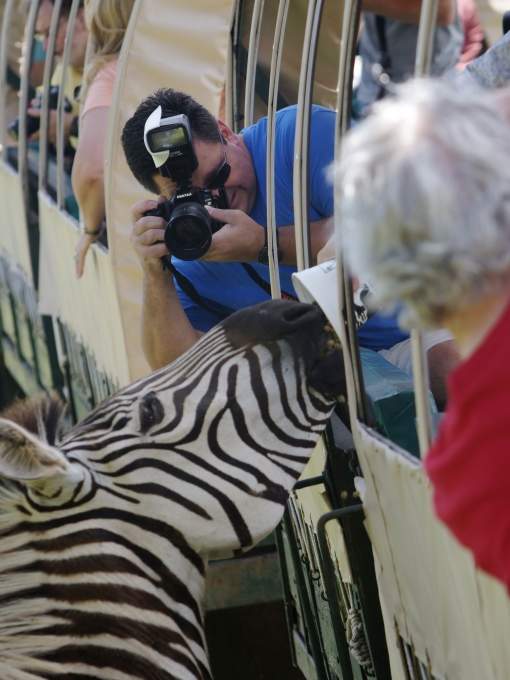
(328, 573)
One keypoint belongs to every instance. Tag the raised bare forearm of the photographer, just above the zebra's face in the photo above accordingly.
(166, 330)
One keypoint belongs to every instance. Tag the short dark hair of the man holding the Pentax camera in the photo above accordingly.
(203, 124)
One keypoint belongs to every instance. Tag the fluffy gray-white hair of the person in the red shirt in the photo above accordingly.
(424, 188)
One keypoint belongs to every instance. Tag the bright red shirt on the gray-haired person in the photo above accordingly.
(469, 462)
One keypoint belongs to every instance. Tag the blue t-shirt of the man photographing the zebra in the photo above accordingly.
(228, 284)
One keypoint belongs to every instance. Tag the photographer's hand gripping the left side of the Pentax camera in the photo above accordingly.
(147, 235)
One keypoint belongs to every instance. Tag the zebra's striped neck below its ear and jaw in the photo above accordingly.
(72, 592)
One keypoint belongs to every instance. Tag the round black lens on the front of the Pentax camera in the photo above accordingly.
(188, 234)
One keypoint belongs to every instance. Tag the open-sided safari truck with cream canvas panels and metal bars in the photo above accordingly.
(371, 584)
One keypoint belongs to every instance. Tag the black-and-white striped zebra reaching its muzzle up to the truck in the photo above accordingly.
(105, 534)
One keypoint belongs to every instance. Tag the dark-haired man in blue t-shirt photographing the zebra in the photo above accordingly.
(198, 152)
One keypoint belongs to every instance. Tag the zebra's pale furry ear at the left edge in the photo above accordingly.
(24, 457)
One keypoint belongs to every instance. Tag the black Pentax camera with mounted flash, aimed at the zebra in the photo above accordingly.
(189, 227)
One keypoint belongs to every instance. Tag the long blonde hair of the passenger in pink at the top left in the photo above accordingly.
(107, 21)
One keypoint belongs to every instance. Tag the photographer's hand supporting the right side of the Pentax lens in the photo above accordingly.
(239, 240)
